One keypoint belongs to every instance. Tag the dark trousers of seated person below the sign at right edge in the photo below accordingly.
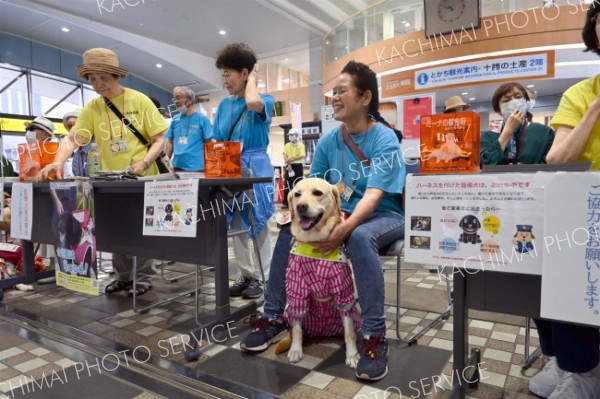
(575, 346)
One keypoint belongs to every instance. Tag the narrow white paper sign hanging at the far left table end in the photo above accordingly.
(21, 207)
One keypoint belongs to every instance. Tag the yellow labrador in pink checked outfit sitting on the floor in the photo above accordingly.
(319, 288)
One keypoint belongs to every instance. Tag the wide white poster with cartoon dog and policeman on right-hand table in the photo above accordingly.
(477, 221)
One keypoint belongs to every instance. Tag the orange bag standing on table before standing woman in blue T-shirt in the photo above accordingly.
(223, 158)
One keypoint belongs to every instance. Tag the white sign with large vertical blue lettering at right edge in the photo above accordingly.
(571, 266)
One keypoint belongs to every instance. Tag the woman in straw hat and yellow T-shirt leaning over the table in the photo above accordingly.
(118, 147)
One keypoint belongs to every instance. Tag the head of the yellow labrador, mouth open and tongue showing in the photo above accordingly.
(315, 209)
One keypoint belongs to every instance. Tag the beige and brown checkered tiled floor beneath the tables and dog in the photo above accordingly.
(414, 371)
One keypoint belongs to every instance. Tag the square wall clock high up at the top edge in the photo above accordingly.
(444, 16)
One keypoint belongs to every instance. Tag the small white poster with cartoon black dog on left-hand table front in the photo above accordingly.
(170, 208)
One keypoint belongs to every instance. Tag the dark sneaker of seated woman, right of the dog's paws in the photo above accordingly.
(372, 365)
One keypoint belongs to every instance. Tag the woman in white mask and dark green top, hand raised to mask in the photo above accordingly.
(519, 140)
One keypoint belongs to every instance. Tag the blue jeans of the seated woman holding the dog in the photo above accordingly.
(379, 231)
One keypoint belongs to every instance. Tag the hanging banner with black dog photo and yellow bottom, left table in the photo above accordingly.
(73, 225)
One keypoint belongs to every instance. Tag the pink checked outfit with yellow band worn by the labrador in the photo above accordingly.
(319, 291)
